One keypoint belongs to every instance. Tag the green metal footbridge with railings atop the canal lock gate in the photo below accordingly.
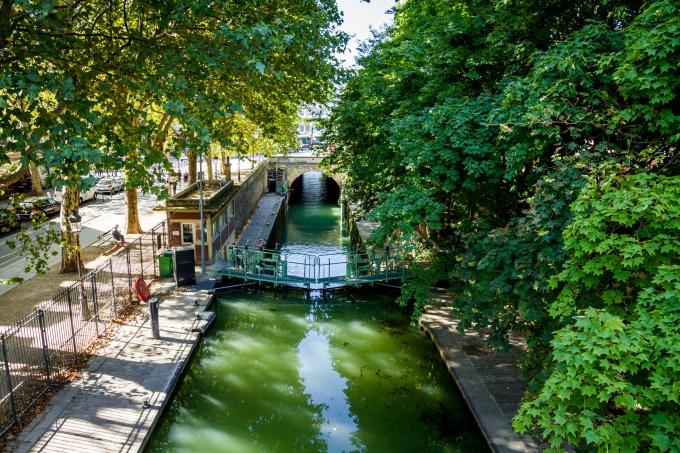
(321, 271)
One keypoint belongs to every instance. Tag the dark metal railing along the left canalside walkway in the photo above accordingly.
(39, 350)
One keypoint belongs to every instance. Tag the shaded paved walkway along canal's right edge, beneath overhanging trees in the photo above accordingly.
(489, 381)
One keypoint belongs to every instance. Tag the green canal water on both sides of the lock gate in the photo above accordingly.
(290, 372)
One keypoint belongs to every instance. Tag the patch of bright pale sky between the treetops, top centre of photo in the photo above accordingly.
(358, 17)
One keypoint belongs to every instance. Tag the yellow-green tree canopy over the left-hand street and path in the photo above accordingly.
(101, 83)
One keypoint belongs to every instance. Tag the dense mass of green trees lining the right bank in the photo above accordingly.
(528, 152)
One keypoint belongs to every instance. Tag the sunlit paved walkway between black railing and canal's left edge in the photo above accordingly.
(103, 411)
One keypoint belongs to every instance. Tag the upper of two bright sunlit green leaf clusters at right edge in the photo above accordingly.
(624, 228)
